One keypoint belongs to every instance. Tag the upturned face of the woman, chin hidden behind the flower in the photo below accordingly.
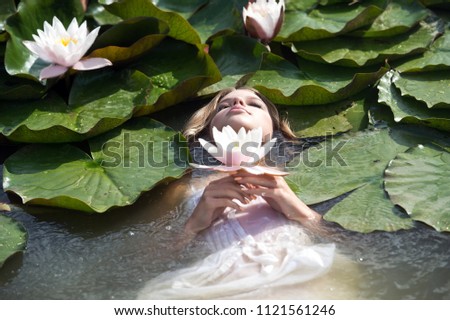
(243, 108)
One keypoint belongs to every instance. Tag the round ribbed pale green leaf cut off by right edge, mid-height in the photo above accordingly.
(418, 181)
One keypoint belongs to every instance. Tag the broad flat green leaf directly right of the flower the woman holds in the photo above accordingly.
(343, 164)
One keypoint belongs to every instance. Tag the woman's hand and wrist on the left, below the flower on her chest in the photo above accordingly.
(218, 195)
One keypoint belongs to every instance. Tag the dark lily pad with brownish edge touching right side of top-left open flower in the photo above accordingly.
(130, 39)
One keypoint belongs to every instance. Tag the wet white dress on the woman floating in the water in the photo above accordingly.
(256, 253)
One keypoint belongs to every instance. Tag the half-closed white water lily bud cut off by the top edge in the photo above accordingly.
(263, 18)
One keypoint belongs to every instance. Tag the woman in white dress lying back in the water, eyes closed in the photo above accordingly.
(255, 225)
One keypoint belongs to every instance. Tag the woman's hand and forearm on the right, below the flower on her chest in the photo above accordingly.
(278, 195)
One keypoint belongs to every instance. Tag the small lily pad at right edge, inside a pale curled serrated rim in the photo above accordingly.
(429, 87)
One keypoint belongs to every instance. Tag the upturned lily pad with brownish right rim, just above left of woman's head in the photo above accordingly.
(177, 71)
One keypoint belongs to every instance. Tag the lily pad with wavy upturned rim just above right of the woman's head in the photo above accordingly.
(310, 83)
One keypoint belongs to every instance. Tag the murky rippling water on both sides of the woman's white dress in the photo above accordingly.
(111, 256)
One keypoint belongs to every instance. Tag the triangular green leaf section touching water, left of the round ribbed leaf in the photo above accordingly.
(368, 209)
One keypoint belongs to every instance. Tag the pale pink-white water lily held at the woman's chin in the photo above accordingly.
(240, 150)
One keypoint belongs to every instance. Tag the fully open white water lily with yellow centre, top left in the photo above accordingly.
(65, 48)
